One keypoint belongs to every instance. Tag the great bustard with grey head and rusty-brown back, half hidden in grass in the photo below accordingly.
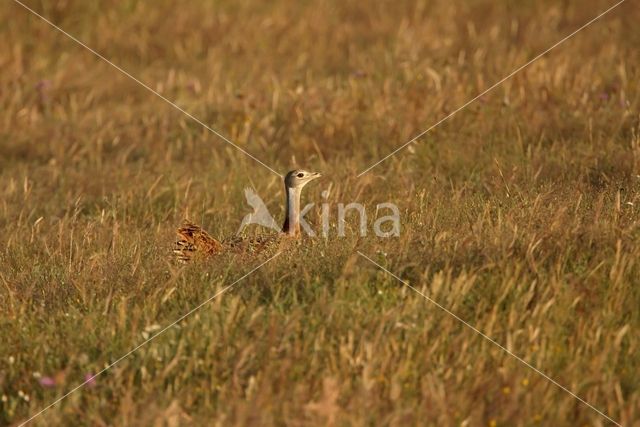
(194, 241)
